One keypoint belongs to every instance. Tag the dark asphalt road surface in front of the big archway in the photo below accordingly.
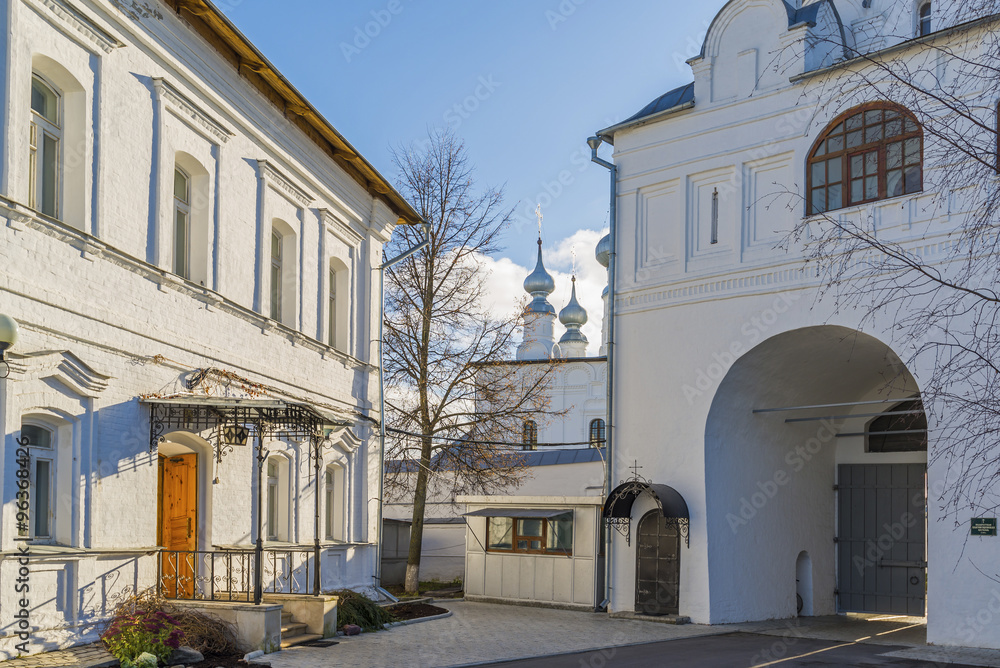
(732, 651)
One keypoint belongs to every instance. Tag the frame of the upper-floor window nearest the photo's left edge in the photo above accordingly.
(41, 127)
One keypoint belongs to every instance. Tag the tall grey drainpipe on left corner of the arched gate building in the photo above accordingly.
(595, 143)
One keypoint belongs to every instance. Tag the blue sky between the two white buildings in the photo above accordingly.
(523, 82)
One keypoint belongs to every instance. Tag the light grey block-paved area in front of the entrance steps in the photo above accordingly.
(484, 632)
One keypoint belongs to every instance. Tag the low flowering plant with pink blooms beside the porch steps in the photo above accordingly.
(133, 635)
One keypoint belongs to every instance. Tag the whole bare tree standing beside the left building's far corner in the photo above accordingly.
(451, 402)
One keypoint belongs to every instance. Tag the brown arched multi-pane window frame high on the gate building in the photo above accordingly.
(846, 153)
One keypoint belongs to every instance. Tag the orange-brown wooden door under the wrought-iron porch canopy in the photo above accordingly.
(178, 529)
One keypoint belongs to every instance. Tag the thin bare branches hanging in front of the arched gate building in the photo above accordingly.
(937, 281)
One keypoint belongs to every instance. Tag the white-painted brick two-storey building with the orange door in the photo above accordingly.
(188, 247)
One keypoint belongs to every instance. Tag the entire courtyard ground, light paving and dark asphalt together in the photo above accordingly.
(481, 633)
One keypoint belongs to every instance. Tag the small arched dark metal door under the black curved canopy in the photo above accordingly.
(658, 565)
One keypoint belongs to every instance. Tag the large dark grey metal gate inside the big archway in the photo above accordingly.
(881, 550)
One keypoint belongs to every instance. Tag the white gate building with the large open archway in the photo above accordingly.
(741, 509)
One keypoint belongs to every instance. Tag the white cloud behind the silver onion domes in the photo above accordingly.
(505, 293)
